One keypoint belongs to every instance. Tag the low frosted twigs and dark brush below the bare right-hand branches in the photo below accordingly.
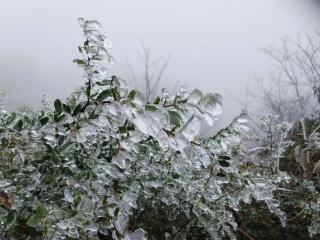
(293, 148)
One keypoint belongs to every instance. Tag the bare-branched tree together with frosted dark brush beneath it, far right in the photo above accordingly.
(285, 136)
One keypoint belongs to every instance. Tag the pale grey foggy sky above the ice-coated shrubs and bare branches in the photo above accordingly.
(213, 44)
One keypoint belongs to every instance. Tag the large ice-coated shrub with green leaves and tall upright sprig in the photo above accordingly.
(91, 166)
